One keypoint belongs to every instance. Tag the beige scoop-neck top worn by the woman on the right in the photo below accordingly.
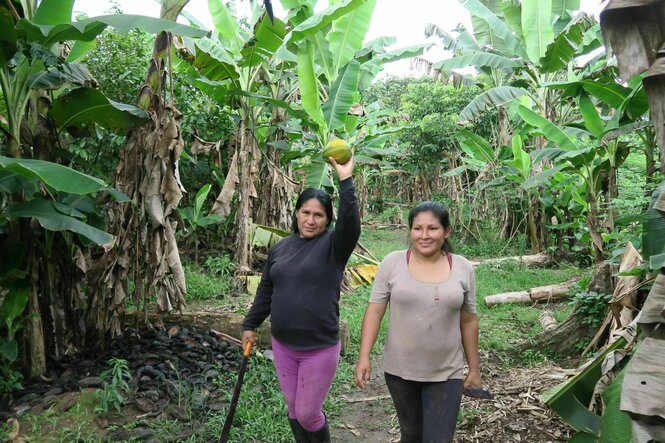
(424, 341)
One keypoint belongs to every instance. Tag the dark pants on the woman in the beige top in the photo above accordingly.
(427, 411)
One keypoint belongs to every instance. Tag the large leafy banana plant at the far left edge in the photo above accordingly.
(45, 205)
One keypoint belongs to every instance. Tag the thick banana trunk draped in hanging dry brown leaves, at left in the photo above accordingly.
(145, 249)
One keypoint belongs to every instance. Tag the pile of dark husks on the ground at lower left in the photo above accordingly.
(173, 373)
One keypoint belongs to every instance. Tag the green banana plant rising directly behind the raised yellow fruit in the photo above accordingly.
(334, 66)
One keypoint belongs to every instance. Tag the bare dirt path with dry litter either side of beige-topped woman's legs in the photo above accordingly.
(516, 414)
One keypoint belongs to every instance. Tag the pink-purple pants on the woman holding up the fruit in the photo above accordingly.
(305, 378)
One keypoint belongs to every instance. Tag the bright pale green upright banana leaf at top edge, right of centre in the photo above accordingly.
(537, 27)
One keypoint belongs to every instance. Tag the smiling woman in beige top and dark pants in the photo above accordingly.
(432, 327)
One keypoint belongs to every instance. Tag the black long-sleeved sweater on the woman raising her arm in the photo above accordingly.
(301, 281)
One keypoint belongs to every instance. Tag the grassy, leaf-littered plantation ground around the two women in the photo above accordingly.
(196, 405)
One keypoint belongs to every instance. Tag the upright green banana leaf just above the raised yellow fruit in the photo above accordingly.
(342, 96)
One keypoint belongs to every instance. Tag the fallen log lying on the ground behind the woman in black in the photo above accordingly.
(228, 323)
